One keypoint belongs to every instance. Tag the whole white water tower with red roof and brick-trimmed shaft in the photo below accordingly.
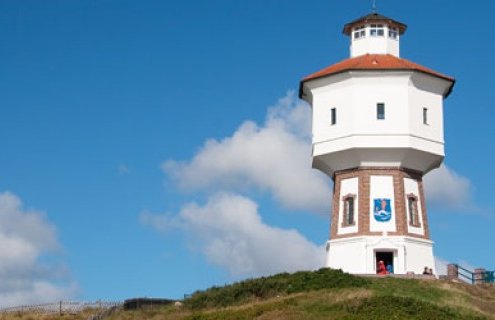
(377, 129)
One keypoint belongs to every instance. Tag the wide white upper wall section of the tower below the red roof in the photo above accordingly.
(358, 138)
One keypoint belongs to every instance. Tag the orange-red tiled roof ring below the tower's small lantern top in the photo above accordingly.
(378, 62)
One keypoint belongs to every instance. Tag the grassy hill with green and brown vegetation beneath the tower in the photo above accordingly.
(326, 294)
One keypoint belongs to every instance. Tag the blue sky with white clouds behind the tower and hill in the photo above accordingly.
(142, 139)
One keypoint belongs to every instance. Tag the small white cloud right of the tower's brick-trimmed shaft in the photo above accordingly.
(447, 189)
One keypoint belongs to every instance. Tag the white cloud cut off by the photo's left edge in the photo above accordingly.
(25, 238)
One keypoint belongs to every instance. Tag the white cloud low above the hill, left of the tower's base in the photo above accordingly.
(229, 231)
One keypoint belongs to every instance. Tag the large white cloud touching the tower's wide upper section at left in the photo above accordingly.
(274, 157)
